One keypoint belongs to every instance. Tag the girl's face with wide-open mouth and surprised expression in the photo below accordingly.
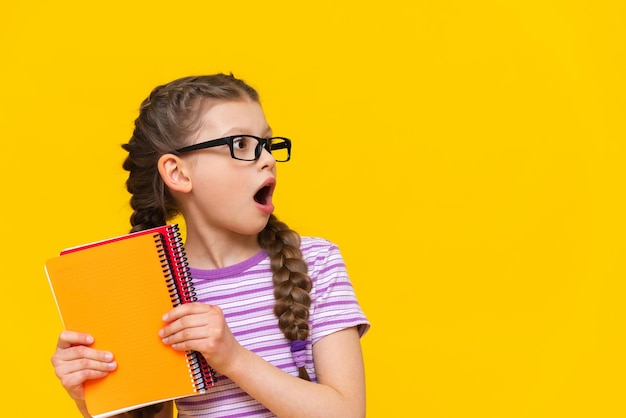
(230, 196)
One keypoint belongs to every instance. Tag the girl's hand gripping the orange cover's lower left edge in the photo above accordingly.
(75, 362)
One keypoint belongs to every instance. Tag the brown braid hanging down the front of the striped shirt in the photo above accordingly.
(292, 283)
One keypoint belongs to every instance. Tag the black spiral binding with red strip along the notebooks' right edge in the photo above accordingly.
(181, 290)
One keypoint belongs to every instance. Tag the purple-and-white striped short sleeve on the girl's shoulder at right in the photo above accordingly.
(334, 305)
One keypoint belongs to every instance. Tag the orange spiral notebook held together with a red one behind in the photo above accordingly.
(117, 290)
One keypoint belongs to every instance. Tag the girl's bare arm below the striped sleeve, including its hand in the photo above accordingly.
(340, 391)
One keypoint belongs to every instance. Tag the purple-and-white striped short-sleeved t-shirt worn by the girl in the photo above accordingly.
(244, 292)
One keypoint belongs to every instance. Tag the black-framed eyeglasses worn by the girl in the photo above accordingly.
(247, 147)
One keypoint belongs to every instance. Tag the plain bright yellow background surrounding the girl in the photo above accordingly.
(468, 158)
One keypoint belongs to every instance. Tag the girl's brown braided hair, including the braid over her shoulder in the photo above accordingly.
(166, 119)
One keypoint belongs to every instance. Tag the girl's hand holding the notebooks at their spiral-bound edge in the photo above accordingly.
(200, 327)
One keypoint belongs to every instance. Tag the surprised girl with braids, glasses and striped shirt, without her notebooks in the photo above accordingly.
(276, 316)
